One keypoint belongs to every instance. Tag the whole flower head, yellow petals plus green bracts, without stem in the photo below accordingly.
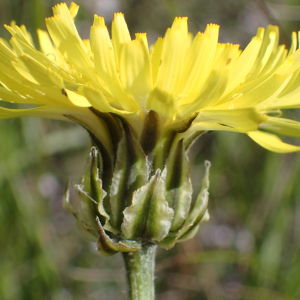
(143, 109)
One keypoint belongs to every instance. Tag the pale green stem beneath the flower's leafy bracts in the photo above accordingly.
(140, 272)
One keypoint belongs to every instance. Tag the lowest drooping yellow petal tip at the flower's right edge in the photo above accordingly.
(272, 142)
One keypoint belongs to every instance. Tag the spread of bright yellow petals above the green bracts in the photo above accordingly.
(183, 79)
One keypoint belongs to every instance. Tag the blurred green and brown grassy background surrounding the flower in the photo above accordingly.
(250, 249)
